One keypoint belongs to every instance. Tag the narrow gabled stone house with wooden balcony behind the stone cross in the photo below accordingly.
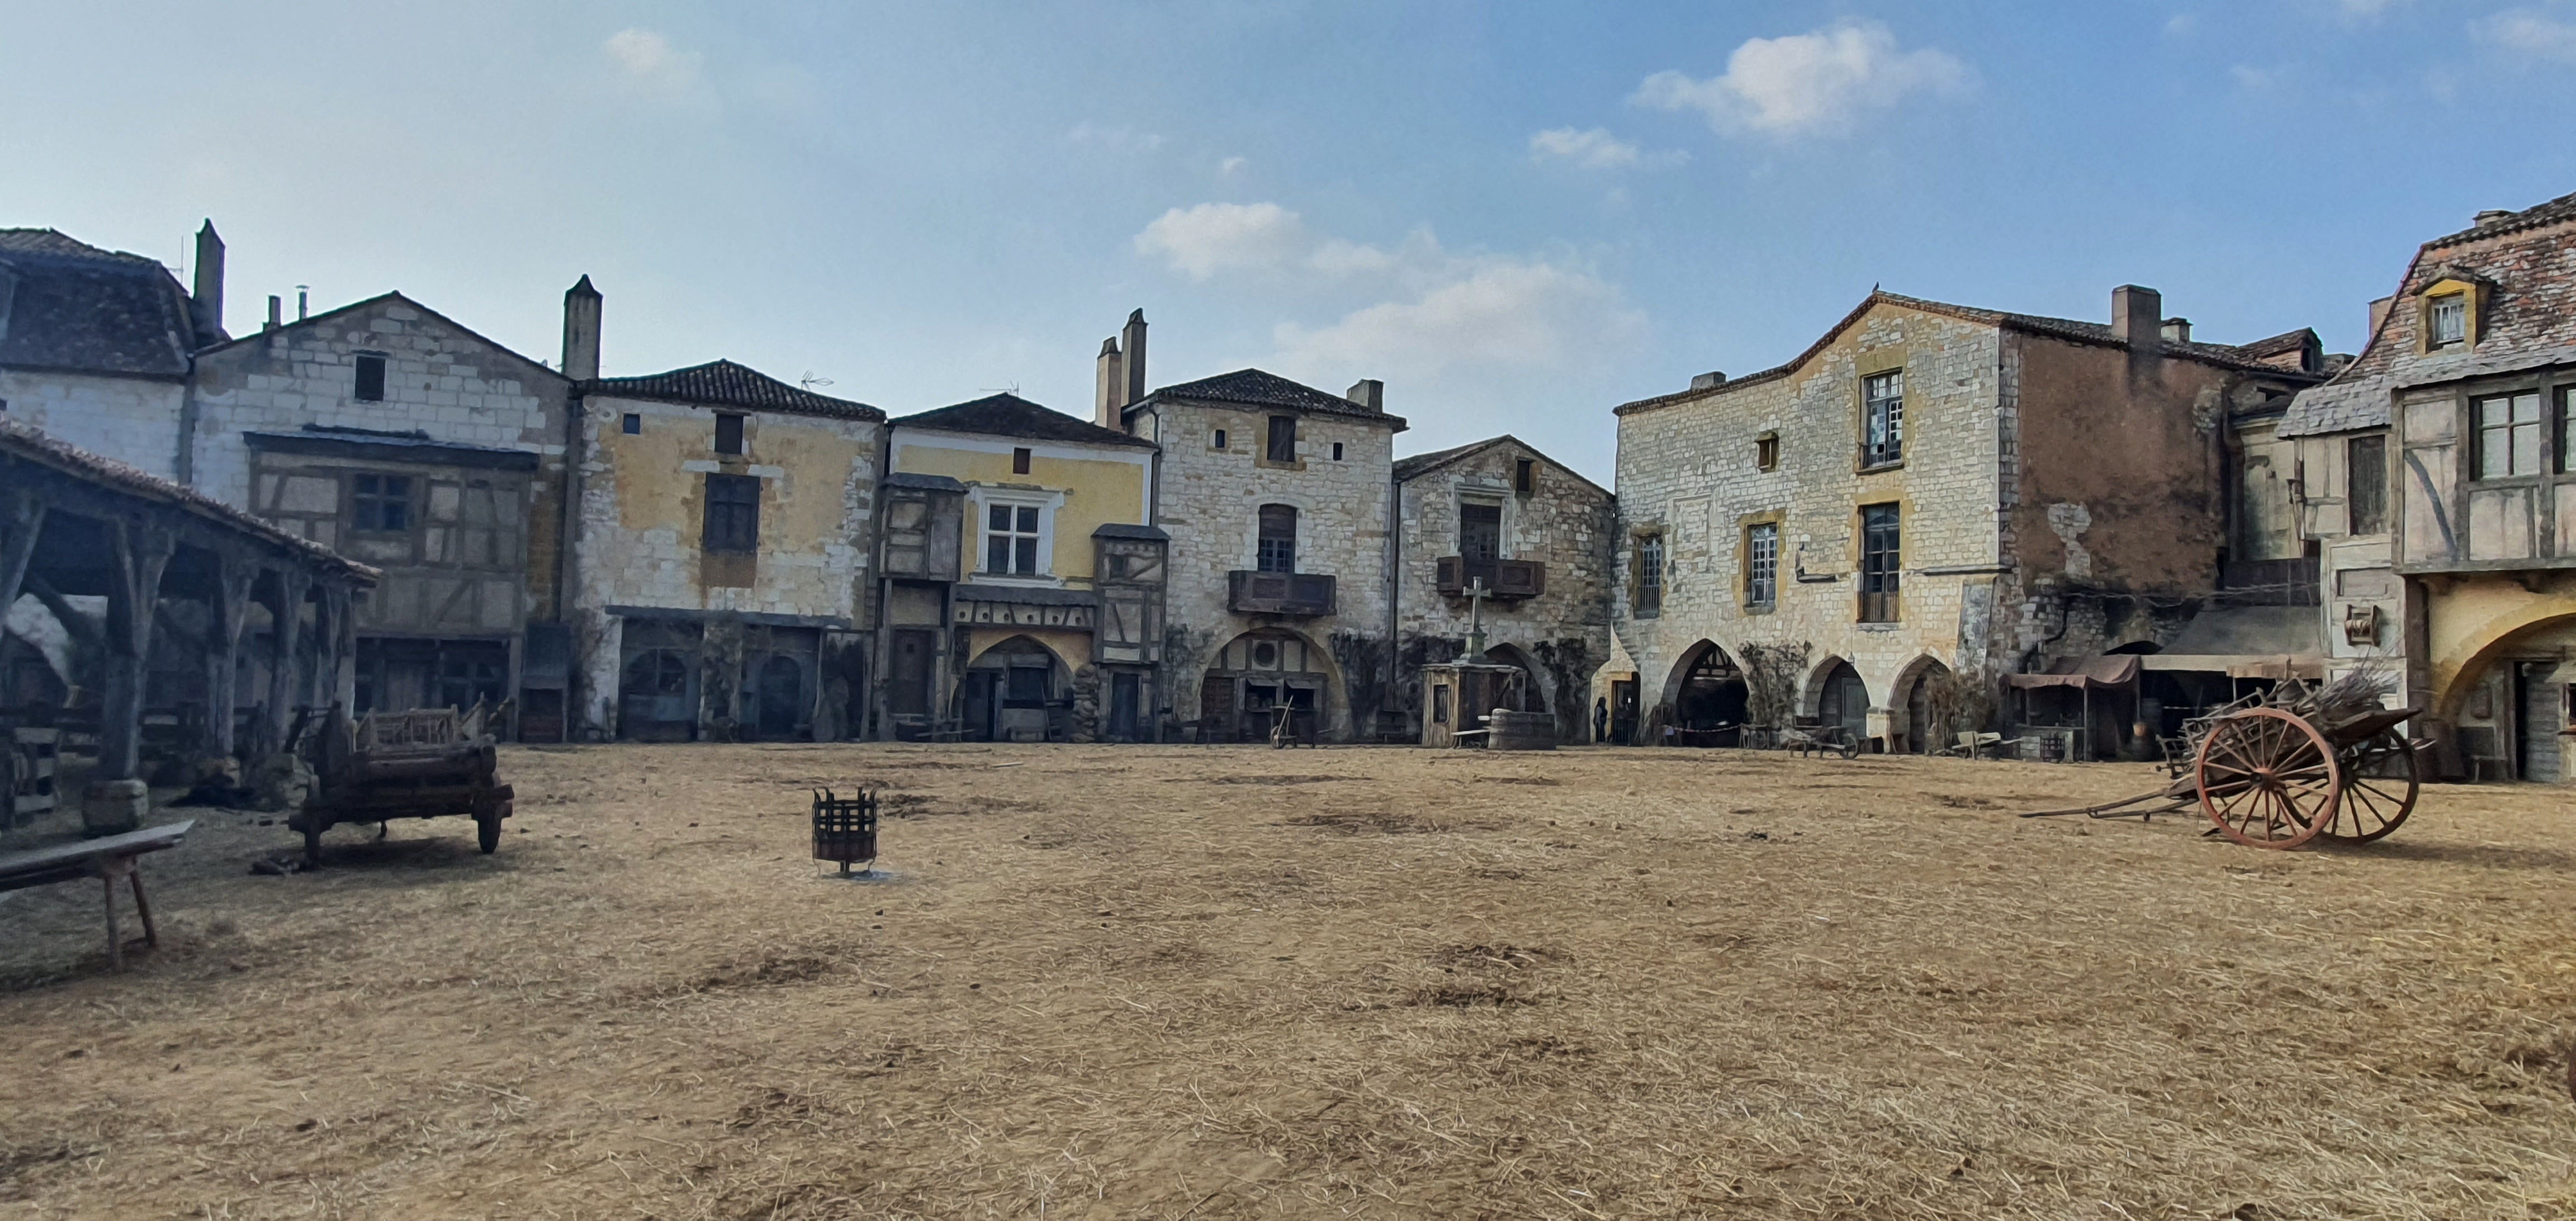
(1529, 532)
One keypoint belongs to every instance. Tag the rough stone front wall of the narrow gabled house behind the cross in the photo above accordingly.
(1565, 524)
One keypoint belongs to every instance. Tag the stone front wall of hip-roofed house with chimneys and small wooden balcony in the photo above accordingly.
(1212, 506)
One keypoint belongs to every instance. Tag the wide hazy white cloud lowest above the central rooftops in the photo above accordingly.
(1488, 316)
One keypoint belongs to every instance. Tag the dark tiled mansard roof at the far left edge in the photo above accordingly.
(76, 308)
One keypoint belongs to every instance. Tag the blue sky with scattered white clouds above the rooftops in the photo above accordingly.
(1513, 215)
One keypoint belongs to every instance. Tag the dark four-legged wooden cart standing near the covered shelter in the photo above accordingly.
(406, 766)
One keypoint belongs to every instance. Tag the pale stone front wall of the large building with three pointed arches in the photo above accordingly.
(1689, 470)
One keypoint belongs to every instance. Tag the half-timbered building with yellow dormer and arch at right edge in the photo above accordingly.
(2467, 393)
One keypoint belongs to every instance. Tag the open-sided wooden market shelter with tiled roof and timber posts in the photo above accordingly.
(76, 524)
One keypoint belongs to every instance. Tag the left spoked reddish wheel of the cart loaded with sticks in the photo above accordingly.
(2268, 779)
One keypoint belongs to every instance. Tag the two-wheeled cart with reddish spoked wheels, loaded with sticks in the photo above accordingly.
(2291, 766)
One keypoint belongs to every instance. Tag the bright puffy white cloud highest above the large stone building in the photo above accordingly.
(1810, 81)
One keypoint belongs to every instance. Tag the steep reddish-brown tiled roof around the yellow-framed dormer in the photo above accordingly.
(2531, 323)
